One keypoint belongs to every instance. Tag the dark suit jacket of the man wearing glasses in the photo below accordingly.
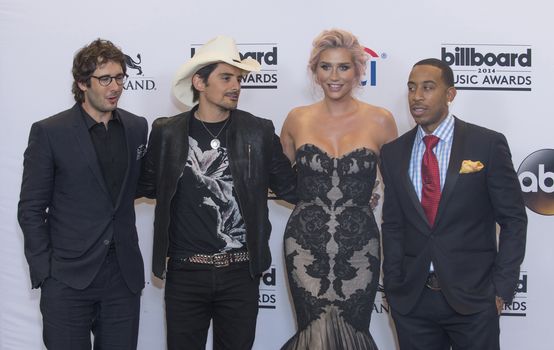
(65, 210)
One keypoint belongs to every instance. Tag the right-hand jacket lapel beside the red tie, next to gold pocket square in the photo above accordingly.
(453, 172)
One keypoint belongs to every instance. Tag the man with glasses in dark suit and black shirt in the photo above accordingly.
(76, 210)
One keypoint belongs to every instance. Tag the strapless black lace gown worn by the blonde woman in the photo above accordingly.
(332, 250)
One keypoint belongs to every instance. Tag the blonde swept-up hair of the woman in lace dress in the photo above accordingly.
(335, 39)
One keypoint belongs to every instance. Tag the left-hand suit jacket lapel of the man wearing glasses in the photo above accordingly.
(85, 143)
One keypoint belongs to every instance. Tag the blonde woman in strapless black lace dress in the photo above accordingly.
(331, 241)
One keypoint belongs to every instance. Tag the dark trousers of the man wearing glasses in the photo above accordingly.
(107, 308)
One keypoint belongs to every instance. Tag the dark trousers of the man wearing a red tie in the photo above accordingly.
(434, 325)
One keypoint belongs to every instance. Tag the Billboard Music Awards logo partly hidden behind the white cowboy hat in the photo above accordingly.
(266, 55)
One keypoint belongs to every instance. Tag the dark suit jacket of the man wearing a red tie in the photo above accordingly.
(462, 243)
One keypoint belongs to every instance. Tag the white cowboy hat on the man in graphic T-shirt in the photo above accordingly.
(219, 49)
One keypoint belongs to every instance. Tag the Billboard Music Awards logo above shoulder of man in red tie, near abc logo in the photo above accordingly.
(490, 66)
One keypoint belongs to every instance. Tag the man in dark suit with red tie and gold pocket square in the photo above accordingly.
(447, 184)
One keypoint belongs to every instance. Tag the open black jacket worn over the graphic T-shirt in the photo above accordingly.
(257, 163)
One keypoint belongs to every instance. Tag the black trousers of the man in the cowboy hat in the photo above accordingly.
(196, 294)
